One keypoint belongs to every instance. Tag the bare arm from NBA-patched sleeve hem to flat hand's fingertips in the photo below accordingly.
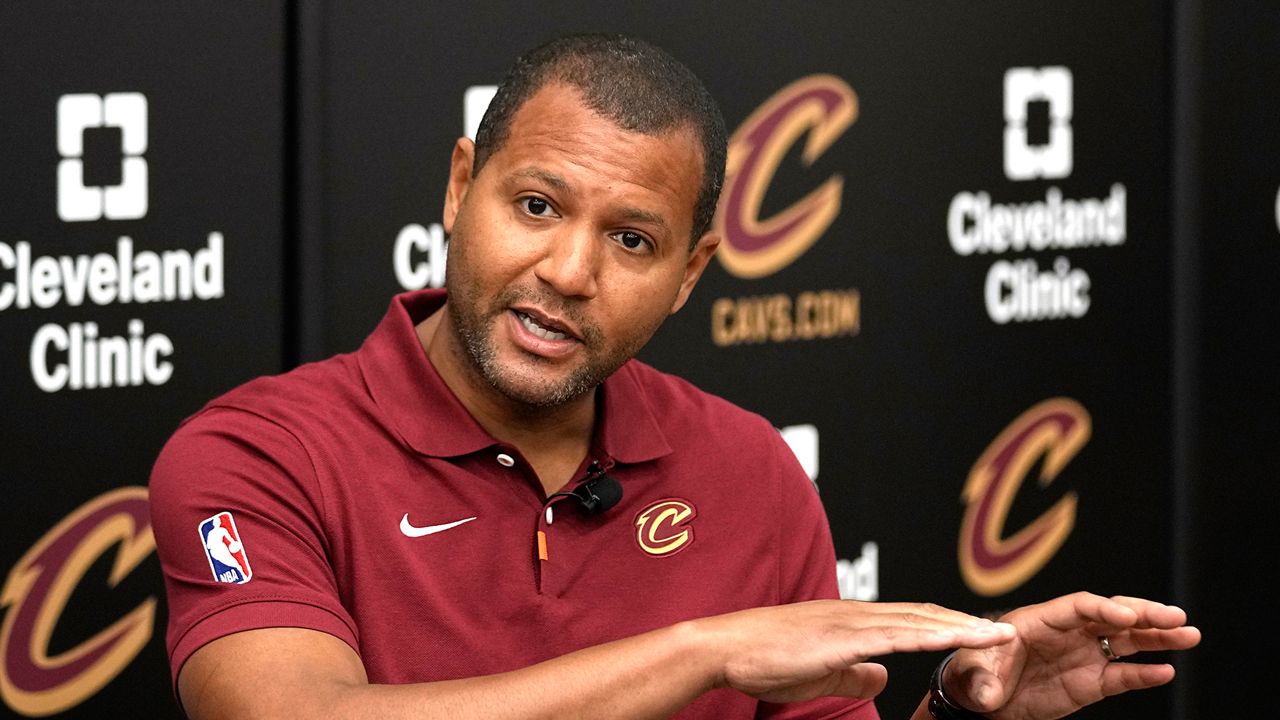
(783, 654)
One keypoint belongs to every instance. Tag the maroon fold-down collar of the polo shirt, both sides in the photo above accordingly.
(432, 421)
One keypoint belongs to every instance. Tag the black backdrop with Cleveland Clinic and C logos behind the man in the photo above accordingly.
(295, 161)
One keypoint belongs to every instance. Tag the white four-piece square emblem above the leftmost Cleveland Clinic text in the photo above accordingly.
(117, 124)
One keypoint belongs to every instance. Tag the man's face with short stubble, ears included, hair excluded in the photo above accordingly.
(569, 249)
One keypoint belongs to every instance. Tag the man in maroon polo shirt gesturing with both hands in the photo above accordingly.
(429, 518)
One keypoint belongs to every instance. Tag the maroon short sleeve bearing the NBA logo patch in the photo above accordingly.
(241, 534)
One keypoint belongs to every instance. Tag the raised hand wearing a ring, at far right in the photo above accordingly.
(1057, 667)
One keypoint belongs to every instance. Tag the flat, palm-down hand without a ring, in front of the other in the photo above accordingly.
(801, 651)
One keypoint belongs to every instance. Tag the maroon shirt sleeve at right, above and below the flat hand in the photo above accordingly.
(807, 571)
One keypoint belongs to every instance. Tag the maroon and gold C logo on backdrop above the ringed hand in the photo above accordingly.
(993, 562)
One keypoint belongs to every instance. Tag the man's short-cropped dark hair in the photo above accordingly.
(636, 85)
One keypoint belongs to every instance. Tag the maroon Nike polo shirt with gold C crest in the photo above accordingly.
(368, 504)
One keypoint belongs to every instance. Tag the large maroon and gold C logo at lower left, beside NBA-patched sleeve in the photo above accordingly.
(39, 587)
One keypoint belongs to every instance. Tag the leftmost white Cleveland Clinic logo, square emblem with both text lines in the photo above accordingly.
(103, 175)
